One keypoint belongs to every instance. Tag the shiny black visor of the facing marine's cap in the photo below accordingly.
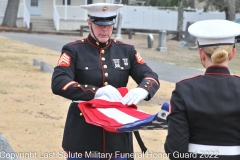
(103, 21)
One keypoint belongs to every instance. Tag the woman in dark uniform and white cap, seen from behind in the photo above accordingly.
(204, 122)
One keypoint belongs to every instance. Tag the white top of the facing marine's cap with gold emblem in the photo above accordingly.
(102, 9)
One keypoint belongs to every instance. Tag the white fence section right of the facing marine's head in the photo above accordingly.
(162, 19)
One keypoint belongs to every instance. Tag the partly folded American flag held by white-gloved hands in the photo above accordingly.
(113, 116)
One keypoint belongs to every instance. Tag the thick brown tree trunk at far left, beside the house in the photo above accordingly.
(10, 16)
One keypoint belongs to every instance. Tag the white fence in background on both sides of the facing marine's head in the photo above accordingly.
(143, 17)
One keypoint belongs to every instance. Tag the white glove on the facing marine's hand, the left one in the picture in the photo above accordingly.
(110, 91)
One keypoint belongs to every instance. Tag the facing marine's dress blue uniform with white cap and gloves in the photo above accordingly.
(89, 68)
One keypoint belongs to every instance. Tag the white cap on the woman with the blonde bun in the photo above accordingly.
(210, 32)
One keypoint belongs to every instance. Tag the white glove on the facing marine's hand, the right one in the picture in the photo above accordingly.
(134, 96)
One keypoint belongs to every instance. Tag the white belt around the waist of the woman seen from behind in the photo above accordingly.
(219, 150)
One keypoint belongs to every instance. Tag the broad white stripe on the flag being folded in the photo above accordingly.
(118, 115)
